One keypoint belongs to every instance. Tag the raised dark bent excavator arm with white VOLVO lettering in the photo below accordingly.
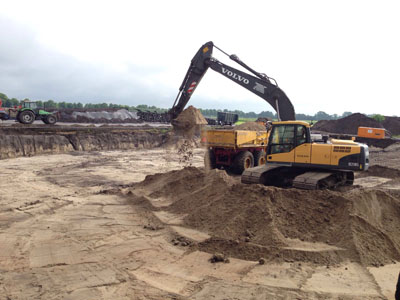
(260, 84)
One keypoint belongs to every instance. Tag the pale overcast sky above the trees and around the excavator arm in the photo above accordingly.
(331, 56)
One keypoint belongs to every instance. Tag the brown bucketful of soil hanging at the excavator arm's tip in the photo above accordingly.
(189, 122)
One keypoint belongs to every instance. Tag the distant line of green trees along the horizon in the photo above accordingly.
(211, 113)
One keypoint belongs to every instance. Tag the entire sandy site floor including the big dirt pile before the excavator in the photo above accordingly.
(91, 225)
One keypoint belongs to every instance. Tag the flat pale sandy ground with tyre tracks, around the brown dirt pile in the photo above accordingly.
(62, 236)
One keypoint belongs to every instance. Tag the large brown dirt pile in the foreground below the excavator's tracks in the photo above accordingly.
(253, 221)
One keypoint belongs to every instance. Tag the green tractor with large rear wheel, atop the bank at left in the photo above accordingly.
(30, 112)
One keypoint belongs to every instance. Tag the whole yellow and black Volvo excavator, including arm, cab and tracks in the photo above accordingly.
(293, 159)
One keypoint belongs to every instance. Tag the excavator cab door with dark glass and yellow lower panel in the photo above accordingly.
(281, 148)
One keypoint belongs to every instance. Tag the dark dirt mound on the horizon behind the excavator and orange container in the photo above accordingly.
(347, 125)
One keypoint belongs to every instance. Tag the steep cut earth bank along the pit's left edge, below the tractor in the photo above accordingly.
(29, 141)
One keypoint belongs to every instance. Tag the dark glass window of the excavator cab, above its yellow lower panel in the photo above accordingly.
(282, 139)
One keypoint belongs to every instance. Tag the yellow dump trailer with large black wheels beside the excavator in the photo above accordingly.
(235, 150)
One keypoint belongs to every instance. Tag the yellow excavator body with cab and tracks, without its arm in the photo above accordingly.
(294, 159)
